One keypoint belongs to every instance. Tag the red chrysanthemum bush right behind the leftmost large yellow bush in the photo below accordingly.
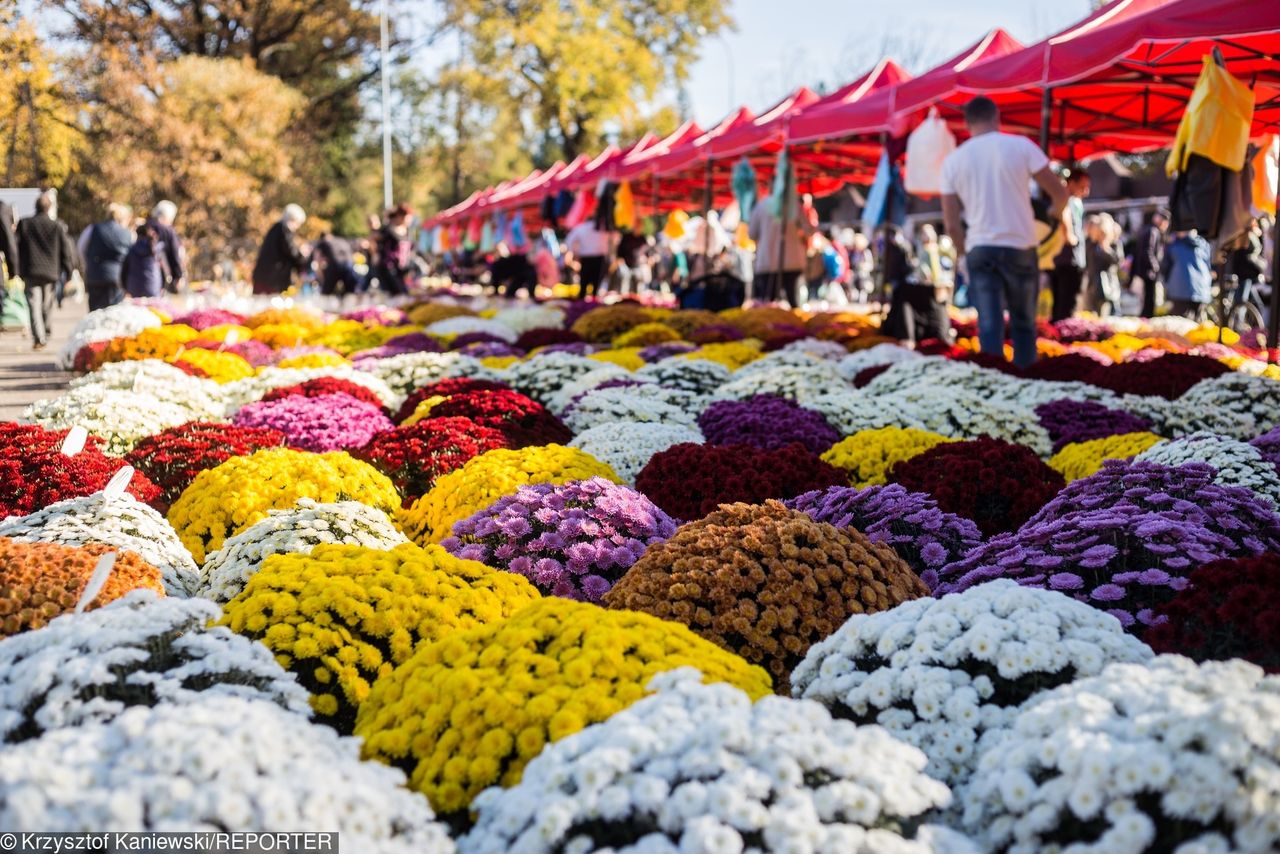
(173, 458)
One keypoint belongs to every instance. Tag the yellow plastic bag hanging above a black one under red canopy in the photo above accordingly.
(1217, 122)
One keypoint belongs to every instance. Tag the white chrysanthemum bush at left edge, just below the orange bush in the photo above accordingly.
(138, 651)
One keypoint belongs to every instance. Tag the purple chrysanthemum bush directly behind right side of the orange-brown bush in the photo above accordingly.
(911, 523)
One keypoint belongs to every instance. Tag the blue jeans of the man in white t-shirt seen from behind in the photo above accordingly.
(1002, 277)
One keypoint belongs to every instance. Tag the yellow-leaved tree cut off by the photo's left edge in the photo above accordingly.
(38, 120)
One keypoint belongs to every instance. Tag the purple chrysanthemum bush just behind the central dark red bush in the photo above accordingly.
(766, 422)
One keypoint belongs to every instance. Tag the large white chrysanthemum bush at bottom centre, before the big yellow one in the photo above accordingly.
(703, 769)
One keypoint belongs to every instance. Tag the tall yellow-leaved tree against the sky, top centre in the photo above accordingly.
(570, 67)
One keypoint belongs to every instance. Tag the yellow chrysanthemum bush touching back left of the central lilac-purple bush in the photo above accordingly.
(493, 476)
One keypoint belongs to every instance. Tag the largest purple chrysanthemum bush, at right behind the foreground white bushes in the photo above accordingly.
(1124, 540)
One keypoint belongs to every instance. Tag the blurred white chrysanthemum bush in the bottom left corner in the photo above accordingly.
(225, 764)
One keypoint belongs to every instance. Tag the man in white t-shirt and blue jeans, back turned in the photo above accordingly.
(989, 179)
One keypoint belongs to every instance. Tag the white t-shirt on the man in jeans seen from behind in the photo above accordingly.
(991, 173)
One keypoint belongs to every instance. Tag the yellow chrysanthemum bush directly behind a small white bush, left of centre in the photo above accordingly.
(223, 501)
